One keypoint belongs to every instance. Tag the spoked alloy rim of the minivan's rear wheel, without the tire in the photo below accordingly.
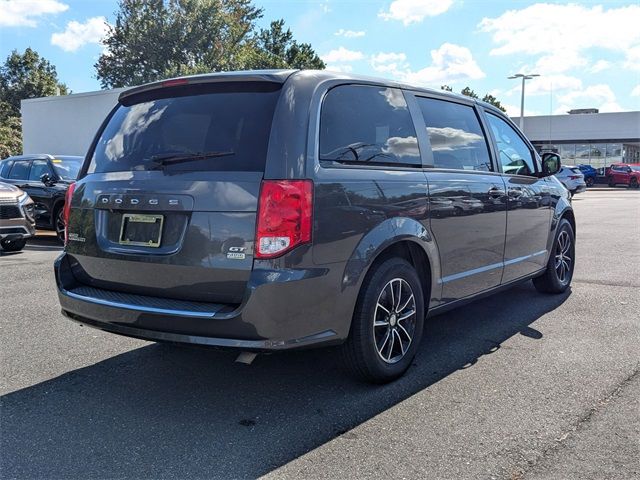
(394, 320)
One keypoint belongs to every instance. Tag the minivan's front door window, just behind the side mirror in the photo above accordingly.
(515, 156)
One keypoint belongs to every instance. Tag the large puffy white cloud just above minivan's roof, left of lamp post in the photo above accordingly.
(449, 64)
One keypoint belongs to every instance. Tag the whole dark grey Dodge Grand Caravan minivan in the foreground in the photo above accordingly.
(272, 210)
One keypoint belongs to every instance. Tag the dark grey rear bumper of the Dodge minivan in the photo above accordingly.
(276, 314)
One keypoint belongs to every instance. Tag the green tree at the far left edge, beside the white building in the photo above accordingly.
(22, 76)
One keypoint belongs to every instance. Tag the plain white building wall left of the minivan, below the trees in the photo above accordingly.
(66, 124)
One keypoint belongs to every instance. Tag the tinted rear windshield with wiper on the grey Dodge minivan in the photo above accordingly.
(225, 127)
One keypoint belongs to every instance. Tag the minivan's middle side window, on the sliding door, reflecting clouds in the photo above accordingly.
(455, 135)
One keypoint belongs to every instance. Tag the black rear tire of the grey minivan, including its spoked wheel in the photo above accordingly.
(364, 349)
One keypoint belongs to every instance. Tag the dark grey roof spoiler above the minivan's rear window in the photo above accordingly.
(272, 76)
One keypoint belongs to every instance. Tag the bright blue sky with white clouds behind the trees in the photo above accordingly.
(587, 53)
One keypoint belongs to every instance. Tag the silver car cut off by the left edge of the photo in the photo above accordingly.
(17, 222)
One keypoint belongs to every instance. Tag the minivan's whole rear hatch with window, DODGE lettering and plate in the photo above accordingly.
(167, 206)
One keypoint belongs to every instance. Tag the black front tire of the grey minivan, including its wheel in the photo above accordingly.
(559, 272)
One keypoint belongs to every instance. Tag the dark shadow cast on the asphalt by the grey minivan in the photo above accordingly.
(161, 411)
